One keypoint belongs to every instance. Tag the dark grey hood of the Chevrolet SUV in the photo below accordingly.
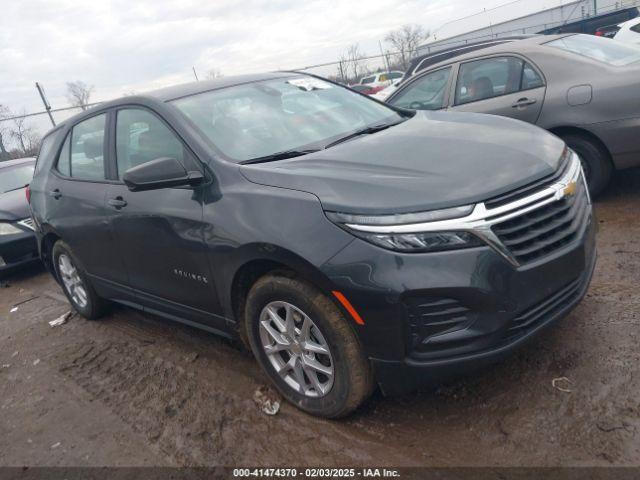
(433, 160)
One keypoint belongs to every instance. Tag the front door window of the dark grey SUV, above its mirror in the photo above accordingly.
(141, 137)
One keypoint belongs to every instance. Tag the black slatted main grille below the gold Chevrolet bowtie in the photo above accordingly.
(546, 229)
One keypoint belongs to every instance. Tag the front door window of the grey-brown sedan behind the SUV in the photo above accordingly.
(426, 93)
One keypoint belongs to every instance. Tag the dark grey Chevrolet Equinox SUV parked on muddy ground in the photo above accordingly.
(347, 242)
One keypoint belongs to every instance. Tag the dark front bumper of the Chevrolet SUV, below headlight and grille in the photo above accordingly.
(482, 306)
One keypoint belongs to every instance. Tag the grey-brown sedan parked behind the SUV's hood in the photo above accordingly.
(581, 87)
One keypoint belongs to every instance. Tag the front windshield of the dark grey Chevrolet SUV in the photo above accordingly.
(259, 119)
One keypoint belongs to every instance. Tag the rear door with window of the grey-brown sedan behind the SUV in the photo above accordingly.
(504, 85)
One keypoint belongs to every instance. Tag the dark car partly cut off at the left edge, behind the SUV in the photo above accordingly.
(17, 241)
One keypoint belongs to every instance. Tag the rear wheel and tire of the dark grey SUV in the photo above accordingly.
(89, 304)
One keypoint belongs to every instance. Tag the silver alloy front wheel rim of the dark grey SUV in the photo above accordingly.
(296, 349)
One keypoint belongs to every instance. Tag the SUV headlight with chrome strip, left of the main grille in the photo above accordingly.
(413, 242)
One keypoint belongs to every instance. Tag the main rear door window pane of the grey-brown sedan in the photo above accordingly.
(488, 78)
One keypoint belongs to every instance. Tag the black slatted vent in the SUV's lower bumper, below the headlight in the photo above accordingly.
(430, 317)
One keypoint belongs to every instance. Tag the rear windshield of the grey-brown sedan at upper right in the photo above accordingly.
(599, 48)
